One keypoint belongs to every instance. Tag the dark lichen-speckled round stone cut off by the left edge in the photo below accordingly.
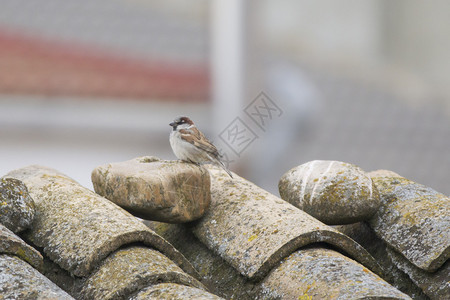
(16, 206)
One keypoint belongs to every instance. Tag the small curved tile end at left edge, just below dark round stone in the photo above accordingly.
(13, 245)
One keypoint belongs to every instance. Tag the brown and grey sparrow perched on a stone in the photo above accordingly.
(190, 144)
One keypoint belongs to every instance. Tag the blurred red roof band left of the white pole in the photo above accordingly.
(31, 65)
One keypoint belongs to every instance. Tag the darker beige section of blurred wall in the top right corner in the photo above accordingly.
(416, 37)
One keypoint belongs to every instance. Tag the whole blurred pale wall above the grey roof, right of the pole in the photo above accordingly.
(374, 39)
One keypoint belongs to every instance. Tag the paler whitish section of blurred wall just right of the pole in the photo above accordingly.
(346, 30)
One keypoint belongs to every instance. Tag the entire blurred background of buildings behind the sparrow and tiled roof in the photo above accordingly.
(84, 83)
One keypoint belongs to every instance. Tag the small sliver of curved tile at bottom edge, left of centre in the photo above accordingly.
(173, 291)
